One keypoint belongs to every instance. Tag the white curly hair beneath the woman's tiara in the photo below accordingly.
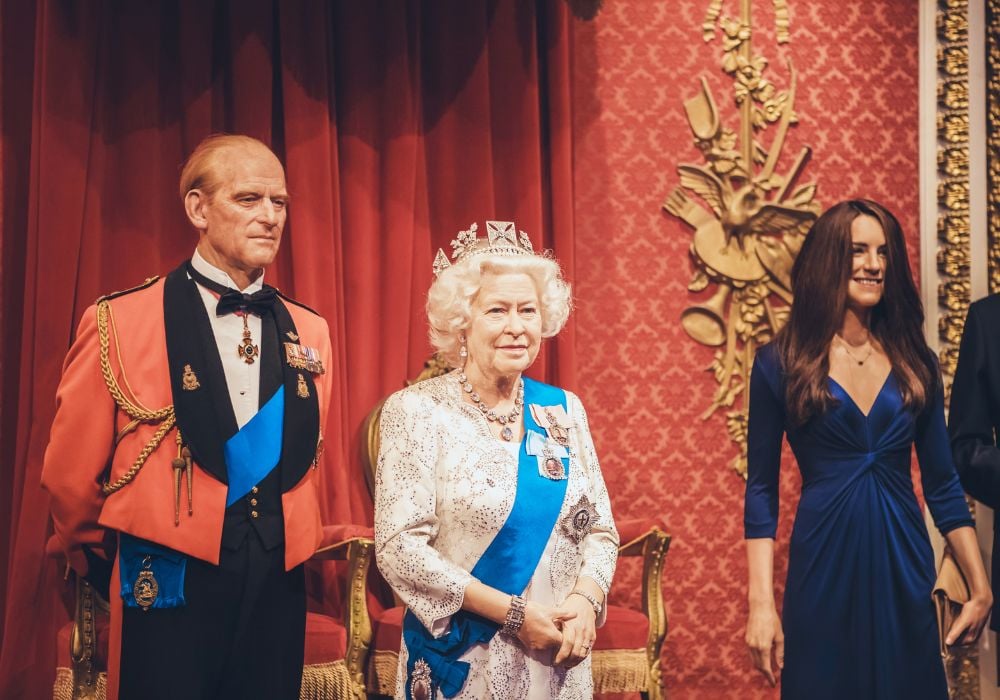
(450, 298)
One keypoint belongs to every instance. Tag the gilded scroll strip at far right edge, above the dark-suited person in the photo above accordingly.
(993, 139)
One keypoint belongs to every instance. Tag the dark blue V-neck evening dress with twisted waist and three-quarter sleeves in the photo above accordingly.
(857, 616)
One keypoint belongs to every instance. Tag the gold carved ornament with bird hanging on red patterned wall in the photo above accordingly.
(750, 222)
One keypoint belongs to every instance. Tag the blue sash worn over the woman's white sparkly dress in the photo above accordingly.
(507, 564)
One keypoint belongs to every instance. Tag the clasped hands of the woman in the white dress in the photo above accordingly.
(568, 631)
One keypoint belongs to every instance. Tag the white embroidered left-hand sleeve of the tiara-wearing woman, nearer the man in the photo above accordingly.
(406, 522)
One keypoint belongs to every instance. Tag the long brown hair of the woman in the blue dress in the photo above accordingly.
(820, 294)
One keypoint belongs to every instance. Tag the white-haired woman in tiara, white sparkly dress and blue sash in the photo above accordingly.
(492, 521)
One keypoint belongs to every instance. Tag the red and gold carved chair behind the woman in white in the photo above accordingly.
(626, 655)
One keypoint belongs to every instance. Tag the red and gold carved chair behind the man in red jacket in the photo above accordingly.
(336, 645)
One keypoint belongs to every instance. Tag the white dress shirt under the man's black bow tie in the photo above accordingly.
(242, 379)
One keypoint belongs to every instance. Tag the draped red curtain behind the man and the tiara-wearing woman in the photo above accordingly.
(399, 124)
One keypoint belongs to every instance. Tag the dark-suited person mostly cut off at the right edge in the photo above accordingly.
(974, 419)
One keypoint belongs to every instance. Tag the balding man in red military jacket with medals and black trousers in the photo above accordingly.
(181, 457)
